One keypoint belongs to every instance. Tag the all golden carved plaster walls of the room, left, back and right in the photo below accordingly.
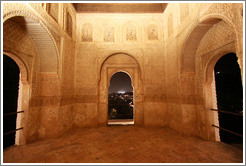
(170, 57)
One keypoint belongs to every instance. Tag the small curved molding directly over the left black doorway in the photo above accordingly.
(24, 70)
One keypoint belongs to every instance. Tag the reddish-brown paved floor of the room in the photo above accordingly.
(123, 144)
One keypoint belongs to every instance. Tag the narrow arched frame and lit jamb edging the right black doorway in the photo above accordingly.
(210, 89)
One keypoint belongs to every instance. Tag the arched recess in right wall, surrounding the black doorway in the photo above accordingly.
(209, 37)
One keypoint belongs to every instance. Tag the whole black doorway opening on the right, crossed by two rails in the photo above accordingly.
(229, 92)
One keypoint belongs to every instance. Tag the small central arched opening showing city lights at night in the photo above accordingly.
(120, 100)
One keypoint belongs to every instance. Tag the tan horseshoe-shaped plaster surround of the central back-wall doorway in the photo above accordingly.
(111, 65)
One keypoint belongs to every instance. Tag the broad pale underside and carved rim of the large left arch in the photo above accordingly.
(43, 39)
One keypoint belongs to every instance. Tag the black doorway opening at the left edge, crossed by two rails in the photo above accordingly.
(11, 74)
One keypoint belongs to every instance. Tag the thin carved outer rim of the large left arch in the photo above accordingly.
(54, 46)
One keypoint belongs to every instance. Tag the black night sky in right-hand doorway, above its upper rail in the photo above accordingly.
(228, 83)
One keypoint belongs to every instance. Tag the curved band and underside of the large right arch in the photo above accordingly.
(197, 30)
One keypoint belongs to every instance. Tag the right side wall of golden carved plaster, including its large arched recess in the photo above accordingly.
(206, 28)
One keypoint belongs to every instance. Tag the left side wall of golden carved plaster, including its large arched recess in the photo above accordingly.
(49, 101)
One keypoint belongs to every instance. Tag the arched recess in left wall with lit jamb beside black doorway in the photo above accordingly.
(30, 44)
